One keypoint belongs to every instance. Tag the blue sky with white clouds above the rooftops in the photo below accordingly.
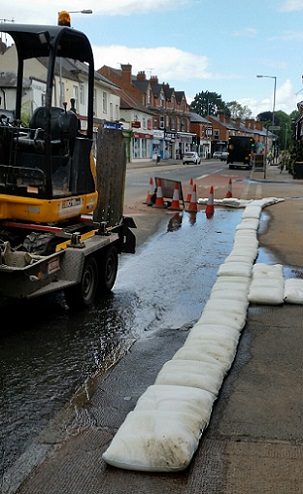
(193, 45)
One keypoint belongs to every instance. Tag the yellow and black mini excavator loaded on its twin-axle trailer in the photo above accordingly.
(48, 184)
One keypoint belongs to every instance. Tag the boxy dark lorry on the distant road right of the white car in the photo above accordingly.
(240, 151)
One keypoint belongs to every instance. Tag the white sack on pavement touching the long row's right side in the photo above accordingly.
(267, 286)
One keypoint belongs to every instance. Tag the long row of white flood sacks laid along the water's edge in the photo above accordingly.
(163, 431)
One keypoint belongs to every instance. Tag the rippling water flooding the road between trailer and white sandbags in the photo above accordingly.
(47, 353)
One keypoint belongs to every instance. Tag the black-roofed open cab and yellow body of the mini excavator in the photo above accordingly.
(47, 171)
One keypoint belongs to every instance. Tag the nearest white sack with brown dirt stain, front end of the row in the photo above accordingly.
(155, 441)
